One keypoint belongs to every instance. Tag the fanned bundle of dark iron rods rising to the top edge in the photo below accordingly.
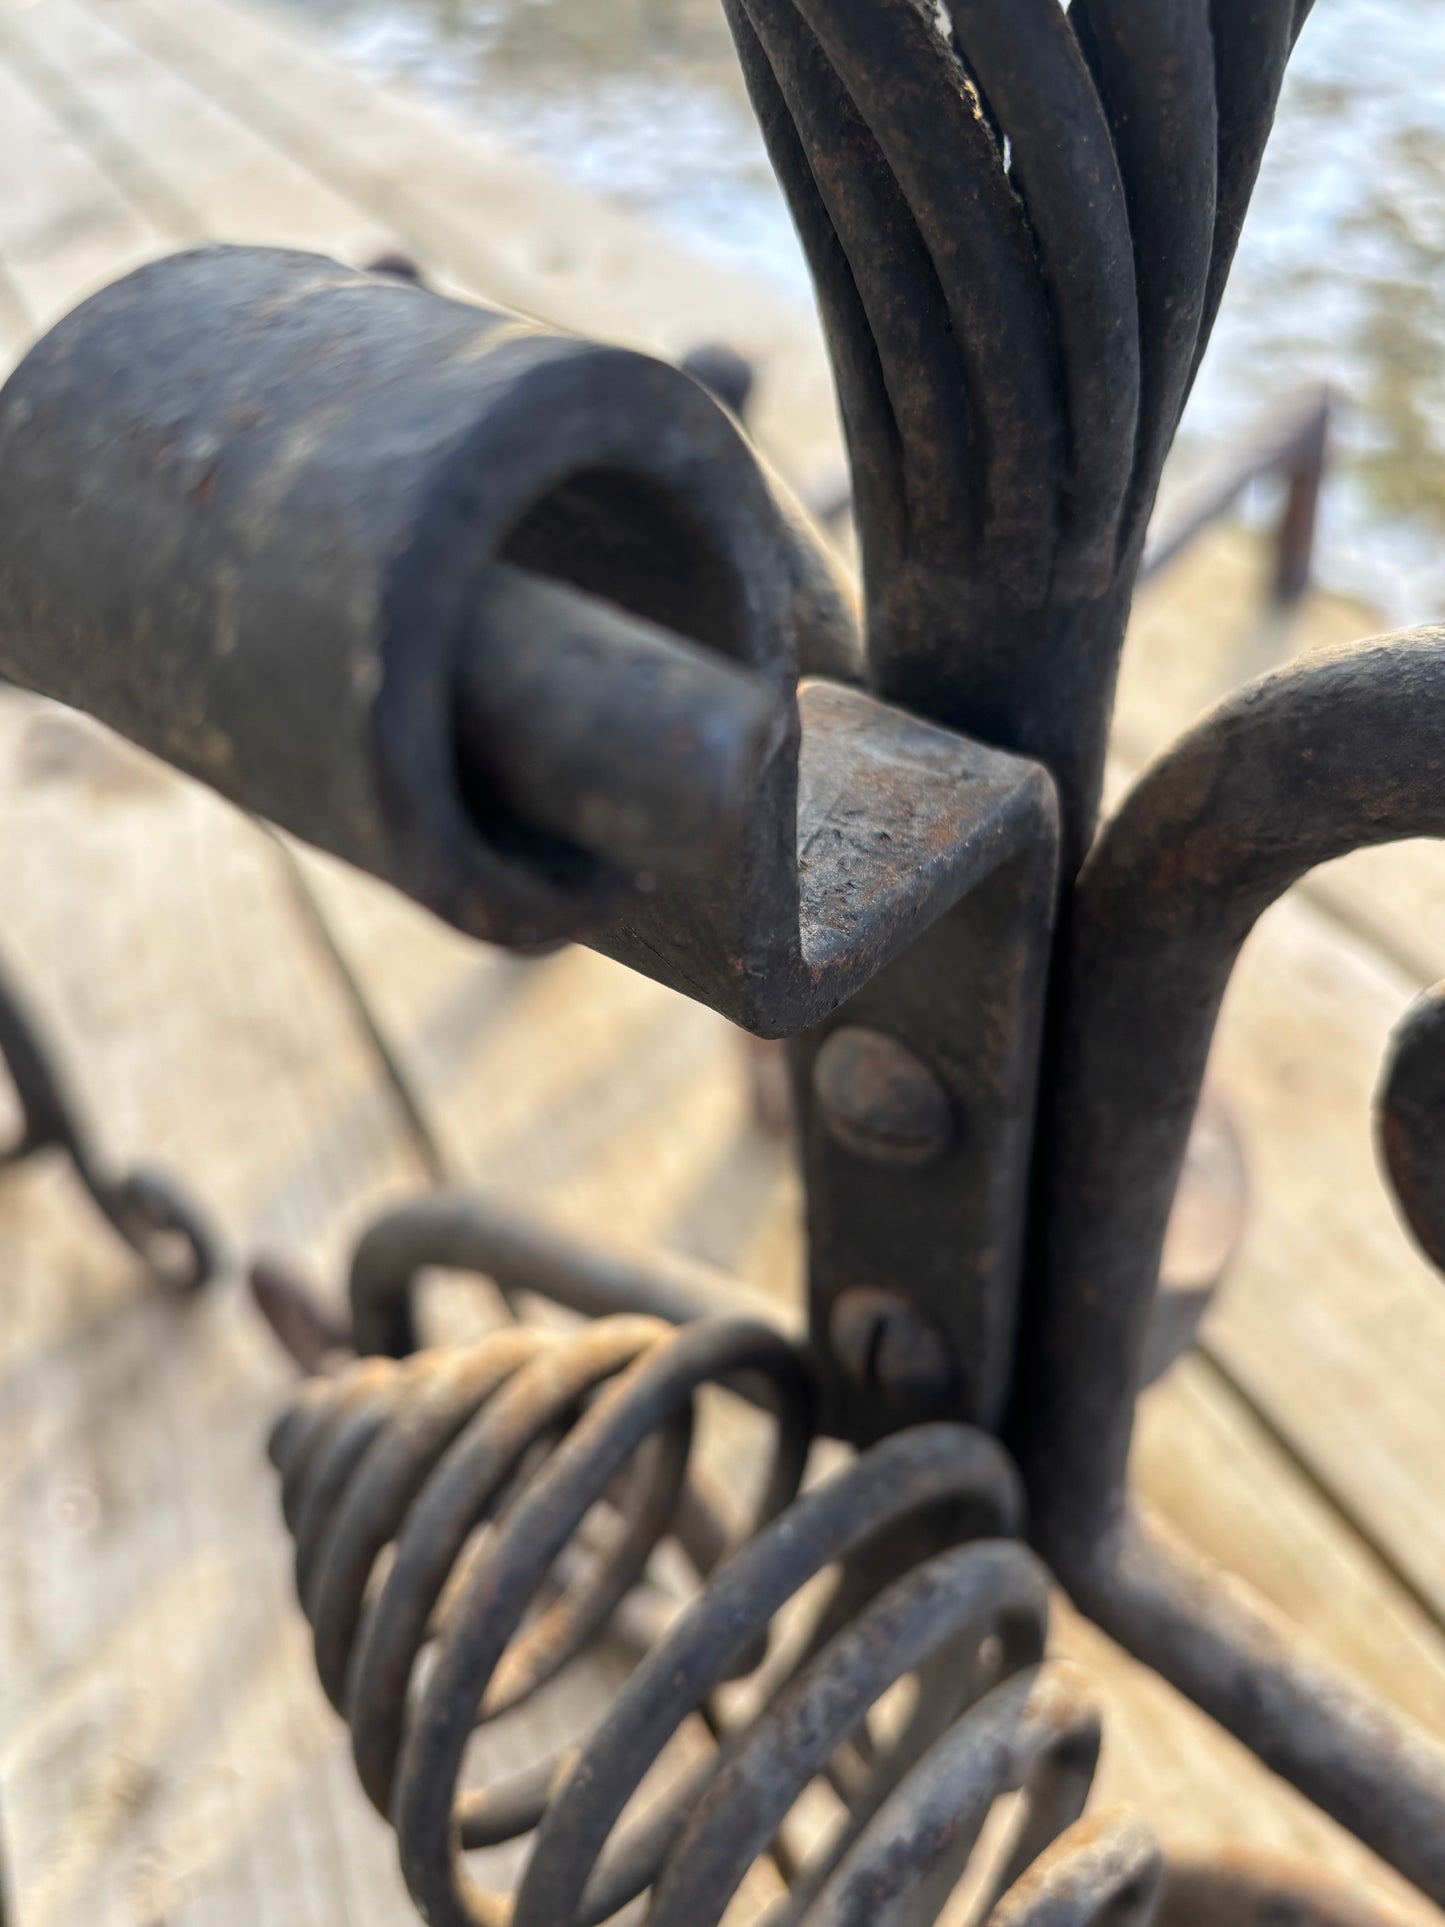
(1014, 346)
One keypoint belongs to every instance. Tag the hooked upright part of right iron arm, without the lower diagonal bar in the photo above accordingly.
(1269, 787)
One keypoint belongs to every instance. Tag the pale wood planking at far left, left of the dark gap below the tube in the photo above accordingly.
(163, 1747)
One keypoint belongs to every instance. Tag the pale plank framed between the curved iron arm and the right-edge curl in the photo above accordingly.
(1332, 1319)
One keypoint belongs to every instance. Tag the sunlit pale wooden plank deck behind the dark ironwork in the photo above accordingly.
(165, 1751)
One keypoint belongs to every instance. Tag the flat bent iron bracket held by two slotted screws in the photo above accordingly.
(962, 999)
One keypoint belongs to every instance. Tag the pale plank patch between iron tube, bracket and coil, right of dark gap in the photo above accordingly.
(575, 1084)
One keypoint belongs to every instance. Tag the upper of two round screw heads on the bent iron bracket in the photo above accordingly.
(881, 1101)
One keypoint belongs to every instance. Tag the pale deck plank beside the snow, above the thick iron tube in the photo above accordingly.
(490, 221)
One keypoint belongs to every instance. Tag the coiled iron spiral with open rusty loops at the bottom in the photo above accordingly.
(429, 1629)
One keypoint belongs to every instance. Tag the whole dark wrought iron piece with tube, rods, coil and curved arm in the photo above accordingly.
(523, 625)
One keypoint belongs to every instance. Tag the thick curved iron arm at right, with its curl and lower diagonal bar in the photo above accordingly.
(1261, 793)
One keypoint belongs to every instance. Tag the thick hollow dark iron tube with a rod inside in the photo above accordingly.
(321, 469)
